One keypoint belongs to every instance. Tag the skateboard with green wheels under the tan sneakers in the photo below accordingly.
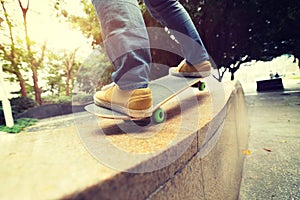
(163, 90)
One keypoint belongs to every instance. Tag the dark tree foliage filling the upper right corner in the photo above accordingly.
(237, 31)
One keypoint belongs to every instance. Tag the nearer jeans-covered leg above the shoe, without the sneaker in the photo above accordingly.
(126, 41)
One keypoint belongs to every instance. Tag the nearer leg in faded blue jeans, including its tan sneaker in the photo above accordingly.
(127, 45)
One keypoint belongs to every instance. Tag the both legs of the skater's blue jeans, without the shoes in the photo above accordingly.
(126, 40)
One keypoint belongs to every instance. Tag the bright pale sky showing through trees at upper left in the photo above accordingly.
(43, 26)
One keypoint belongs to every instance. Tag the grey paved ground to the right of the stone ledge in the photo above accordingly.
(272, 170)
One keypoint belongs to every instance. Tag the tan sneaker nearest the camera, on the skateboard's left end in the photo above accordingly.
(135, 103)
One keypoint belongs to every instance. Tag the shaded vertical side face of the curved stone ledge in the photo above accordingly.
(210, 168)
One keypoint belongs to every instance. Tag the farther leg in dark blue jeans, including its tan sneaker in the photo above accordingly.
(173, 15)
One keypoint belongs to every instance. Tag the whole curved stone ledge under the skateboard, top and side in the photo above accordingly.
(190, 156)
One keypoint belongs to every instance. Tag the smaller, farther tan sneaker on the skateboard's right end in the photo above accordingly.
(202, 69)
